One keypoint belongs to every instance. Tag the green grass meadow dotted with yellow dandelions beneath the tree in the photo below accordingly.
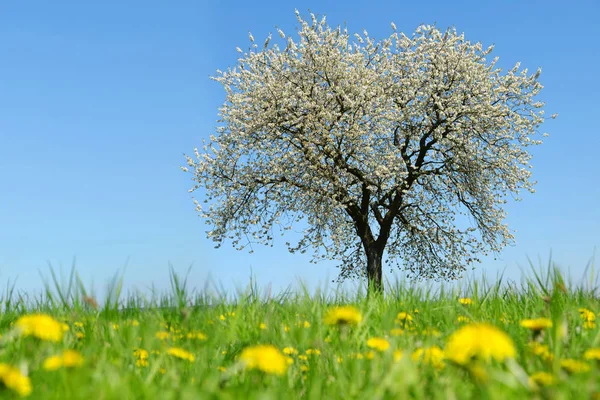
(535, 339)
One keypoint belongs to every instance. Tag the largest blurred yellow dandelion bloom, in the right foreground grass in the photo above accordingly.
(481, 341)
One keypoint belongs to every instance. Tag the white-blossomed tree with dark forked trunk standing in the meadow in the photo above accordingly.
(380, 145)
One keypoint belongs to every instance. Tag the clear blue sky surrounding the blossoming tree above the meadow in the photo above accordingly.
(99, 101)
